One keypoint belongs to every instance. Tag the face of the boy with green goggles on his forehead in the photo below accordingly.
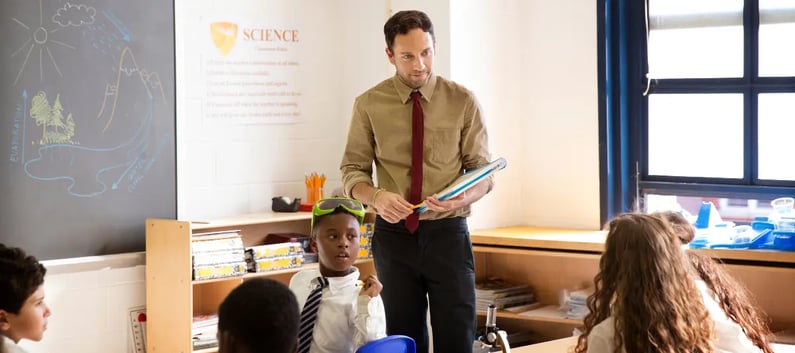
(336, 240)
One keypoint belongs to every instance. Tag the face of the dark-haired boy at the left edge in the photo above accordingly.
(31, 321)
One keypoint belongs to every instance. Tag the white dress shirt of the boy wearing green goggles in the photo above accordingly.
(345, 319)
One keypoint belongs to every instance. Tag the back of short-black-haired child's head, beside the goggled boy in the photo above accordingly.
(258, 316)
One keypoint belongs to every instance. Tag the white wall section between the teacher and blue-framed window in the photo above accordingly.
(533, 65)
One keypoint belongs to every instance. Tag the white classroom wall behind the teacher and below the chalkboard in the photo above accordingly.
(532, 64)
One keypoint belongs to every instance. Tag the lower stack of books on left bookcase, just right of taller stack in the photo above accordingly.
(277, 256)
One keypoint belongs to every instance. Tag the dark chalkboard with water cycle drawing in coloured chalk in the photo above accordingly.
(87, 123)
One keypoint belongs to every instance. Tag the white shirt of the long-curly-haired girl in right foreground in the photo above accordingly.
(730, 337)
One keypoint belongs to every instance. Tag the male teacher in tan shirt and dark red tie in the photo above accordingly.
(422, 131)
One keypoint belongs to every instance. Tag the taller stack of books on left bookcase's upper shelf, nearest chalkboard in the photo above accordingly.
(217, 254)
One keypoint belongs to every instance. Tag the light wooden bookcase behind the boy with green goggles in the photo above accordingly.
(173, 298)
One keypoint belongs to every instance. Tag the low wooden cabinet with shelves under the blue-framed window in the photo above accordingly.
(553, 259)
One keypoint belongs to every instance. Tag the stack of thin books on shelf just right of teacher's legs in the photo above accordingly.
(504, 295)
